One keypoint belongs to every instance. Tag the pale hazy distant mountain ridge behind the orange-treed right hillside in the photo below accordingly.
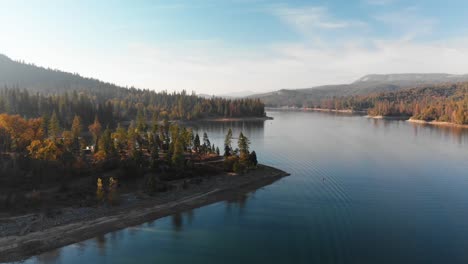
(366, 85)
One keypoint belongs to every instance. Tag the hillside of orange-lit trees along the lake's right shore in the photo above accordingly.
(442, 102)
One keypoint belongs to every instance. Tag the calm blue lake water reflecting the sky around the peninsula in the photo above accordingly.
(360, 191)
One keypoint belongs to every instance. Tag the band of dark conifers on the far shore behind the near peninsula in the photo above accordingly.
(123, 106)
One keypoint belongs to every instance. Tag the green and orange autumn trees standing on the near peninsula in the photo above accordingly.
(30, 148)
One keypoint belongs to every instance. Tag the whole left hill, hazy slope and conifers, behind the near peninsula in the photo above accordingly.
(33, 91)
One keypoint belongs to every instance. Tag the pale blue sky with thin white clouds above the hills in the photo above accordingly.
(221, 47)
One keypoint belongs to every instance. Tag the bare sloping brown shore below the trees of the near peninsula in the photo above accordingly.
(38, 236)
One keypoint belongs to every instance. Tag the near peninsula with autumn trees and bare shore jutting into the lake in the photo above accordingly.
(64, 194)
